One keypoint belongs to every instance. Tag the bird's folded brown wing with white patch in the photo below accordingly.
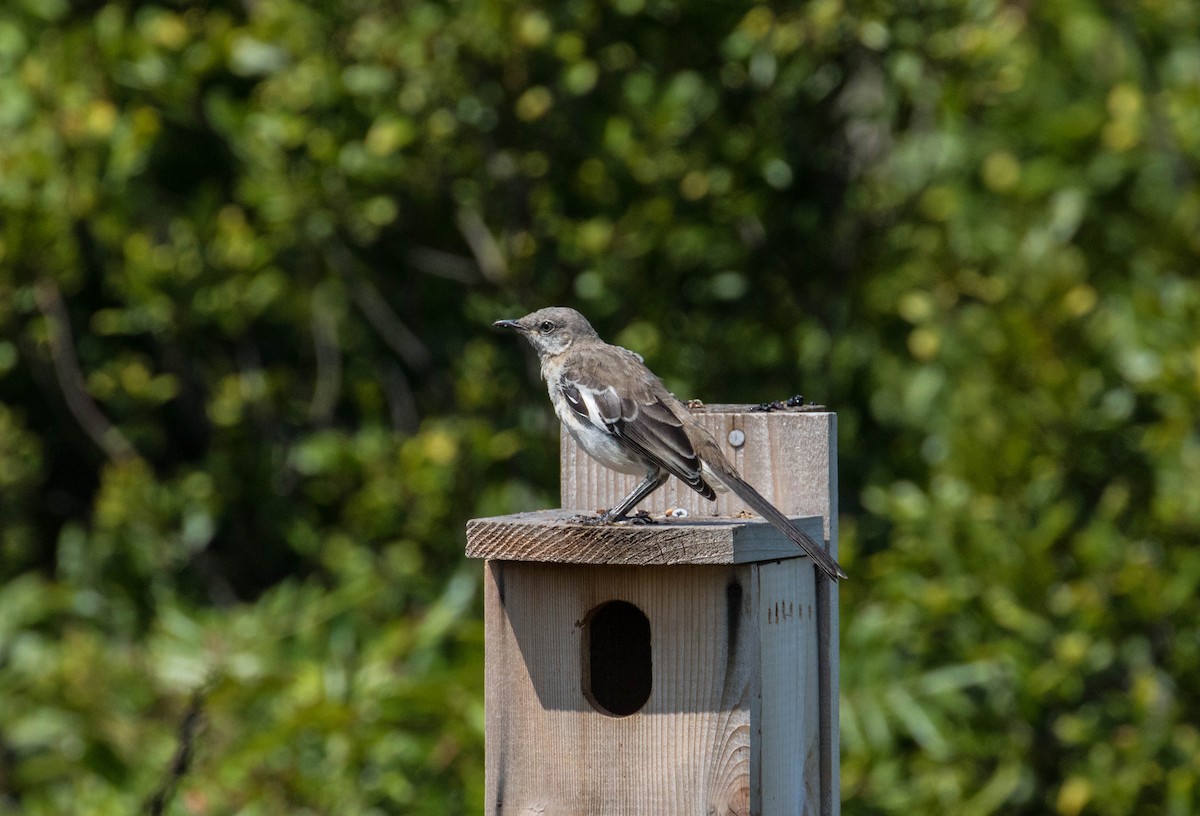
(610, 388)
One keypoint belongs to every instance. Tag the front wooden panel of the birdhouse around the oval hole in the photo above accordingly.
(686, 752)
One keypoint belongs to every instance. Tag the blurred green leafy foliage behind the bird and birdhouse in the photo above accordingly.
(249, 395)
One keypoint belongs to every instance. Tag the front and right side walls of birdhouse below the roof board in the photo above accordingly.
(733, 652)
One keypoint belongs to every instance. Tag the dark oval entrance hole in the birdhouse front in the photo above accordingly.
(617, 658)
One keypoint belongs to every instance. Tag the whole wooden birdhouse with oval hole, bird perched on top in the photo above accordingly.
(688, 667)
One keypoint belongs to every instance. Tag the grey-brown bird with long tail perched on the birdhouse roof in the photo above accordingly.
(623, 417)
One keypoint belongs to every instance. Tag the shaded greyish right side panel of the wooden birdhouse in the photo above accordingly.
(787, 752)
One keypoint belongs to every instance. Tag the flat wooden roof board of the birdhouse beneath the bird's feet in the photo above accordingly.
(548, 536)
